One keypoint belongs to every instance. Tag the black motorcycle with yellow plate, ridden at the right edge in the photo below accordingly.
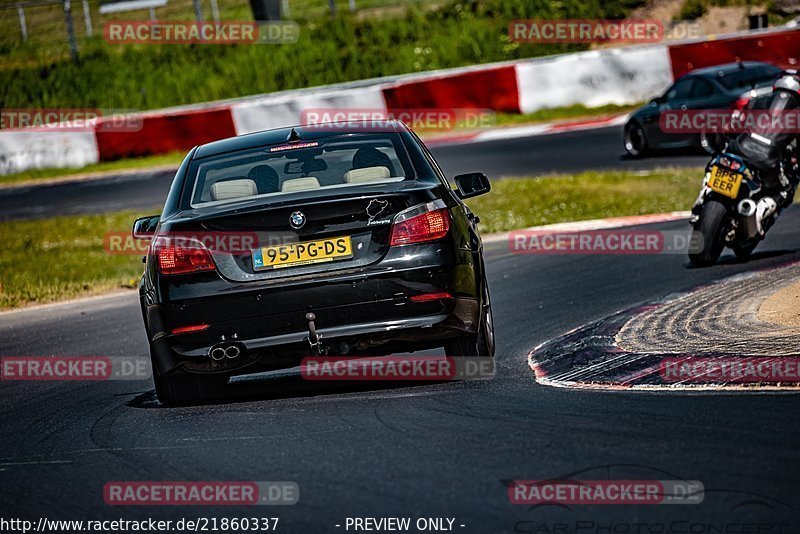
(732, 209)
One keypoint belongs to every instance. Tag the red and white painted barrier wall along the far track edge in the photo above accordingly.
(593, 78)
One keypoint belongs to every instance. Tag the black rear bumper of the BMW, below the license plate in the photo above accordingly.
(363, 312)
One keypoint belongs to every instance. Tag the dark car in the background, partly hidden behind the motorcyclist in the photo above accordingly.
(720, 87)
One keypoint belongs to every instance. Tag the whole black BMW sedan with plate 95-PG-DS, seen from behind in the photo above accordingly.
(332, 239)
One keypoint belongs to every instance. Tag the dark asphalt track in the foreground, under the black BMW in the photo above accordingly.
(431, 450)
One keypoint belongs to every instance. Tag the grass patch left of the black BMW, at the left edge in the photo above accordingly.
(64, 257)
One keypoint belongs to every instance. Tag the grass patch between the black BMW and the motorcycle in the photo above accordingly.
(523, 202)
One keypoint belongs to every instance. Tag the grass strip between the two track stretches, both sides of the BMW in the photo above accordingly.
(64, 257)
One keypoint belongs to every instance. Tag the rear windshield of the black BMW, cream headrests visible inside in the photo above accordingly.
(276, 170)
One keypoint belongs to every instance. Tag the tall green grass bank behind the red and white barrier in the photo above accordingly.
(330, 49)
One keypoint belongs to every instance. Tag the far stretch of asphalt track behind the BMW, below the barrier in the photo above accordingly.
(599, 148)
